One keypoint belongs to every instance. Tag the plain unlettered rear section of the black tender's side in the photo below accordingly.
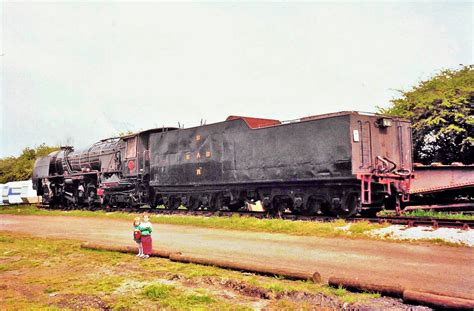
(309, 150)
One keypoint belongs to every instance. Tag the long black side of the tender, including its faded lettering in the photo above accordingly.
(231, 152)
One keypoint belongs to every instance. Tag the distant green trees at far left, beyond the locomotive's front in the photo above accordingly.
(21, 168)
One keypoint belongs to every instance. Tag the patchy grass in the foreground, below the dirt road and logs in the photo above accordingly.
(52, 274)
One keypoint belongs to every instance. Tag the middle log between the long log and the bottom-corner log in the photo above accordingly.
(354, 284)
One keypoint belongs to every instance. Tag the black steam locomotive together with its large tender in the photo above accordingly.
(336, 164)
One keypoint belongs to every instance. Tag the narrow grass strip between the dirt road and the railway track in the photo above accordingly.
(303, 228)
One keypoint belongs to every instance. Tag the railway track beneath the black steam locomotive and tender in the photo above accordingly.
(435, 223)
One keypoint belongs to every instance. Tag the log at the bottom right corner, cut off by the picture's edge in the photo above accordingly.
(437, 301)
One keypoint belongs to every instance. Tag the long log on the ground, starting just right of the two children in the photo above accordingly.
(228, 264)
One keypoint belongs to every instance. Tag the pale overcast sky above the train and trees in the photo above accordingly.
(79, 72)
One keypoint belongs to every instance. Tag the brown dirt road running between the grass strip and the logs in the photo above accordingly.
(439, 269)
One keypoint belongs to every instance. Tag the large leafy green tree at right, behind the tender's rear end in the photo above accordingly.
(441, 110)
